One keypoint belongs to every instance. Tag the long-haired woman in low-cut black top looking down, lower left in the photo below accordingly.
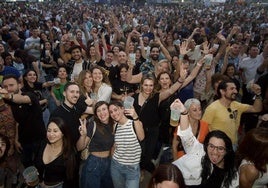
(56, 162)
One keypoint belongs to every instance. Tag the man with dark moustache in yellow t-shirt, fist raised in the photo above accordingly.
(224, 114)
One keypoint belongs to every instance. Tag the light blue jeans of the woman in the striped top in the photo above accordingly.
(125, 176)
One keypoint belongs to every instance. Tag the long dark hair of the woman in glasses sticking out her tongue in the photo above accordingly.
(229, 159)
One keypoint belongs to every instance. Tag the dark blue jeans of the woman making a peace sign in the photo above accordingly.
(96, 173)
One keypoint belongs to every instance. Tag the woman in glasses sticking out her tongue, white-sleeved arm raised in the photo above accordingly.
(210, 164)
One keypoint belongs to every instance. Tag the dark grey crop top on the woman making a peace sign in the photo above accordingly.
(103, 139)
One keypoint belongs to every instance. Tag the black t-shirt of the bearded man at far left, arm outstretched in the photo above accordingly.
(29, 116)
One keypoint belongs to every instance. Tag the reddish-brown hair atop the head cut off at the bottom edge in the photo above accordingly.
(167, 172)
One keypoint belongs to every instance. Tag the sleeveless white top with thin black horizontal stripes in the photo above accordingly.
(127, 147)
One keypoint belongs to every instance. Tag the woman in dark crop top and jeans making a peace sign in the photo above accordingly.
(96, 171)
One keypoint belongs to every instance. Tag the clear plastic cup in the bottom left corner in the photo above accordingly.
(30, 175)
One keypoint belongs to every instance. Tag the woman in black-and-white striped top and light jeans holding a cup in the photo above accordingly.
(125, 167)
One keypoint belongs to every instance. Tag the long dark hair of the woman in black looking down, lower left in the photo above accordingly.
(68, 149)
